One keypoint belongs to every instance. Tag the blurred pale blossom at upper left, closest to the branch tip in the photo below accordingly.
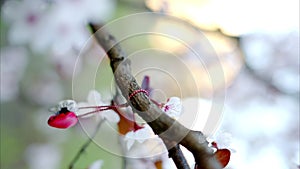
(64, 32)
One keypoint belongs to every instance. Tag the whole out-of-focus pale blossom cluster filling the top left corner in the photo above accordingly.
(56, 25)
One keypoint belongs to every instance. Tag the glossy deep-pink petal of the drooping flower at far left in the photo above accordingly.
(63, 120)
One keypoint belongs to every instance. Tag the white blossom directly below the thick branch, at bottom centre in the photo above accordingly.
(147, 150)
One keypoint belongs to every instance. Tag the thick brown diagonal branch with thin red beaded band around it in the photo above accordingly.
(166, 127)
